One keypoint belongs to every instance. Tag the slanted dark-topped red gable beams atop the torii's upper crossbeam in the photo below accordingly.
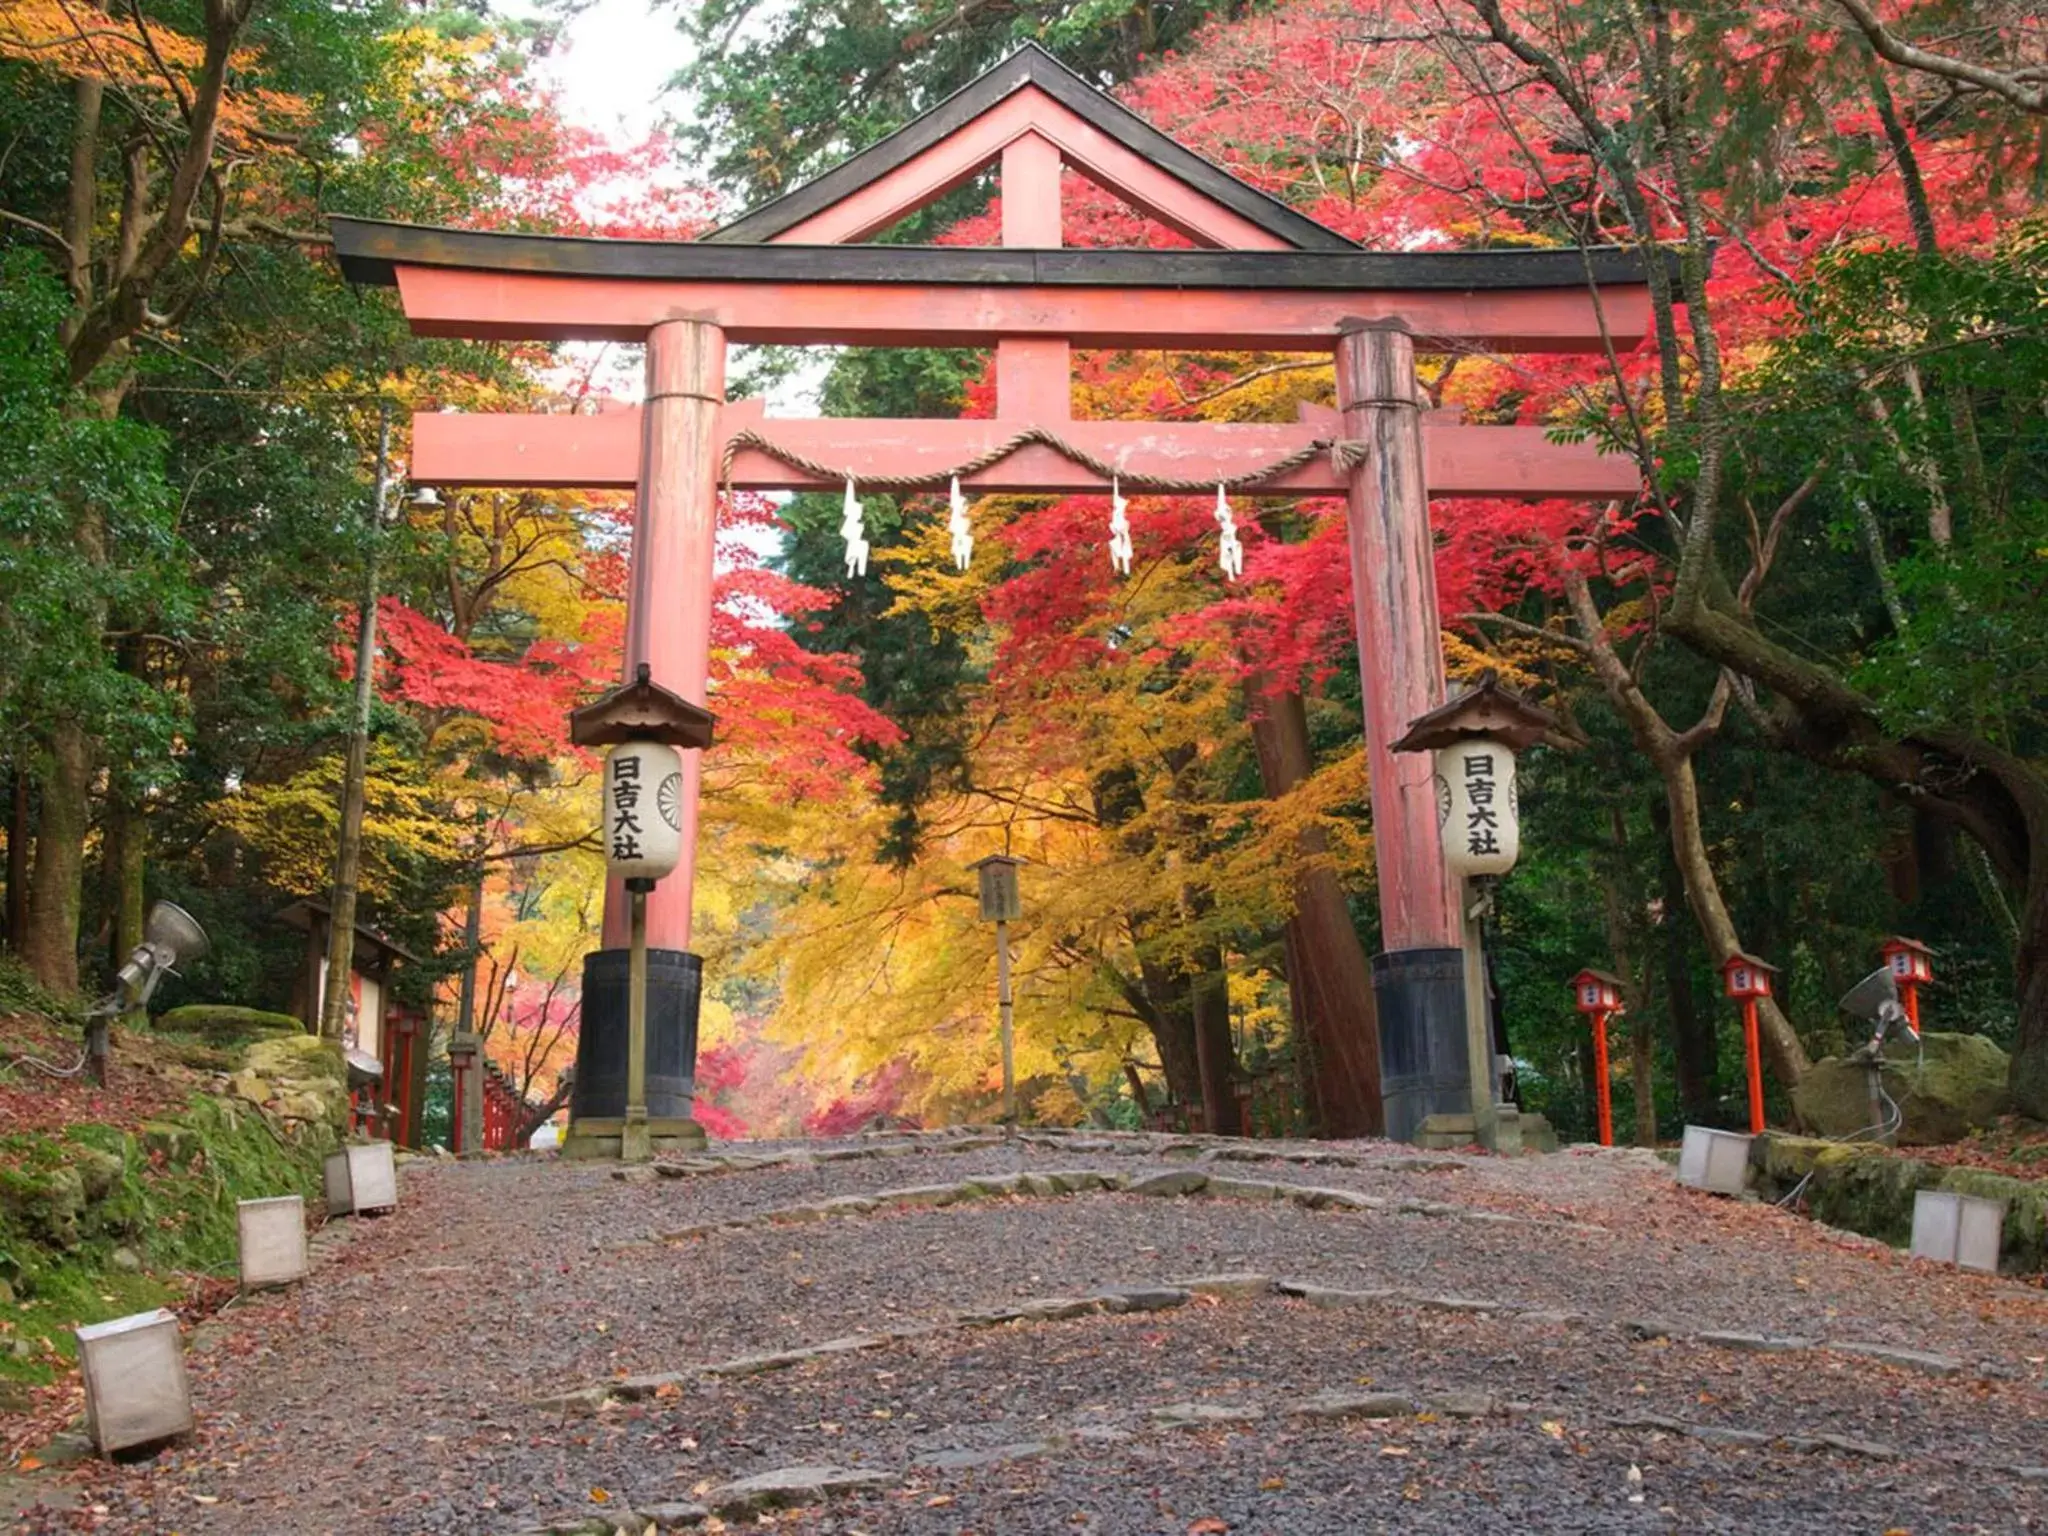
(1029, 93)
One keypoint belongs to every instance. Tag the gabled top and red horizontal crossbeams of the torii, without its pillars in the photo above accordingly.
(796, 271)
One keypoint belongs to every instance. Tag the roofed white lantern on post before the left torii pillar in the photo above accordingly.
(646, 726)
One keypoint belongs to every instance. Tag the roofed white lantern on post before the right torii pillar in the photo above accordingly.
(1476, 740)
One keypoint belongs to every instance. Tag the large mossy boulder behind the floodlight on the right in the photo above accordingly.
(1947, 1089)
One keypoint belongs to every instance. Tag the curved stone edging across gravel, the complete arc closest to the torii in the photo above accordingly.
(1089, 1181)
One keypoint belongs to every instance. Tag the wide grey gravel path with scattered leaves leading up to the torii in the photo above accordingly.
(394, 1394)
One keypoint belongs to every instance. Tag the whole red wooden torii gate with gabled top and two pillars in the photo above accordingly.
(1263, 280)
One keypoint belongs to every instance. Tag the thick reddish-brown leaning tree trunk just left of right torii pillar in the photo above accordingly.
(1330, 982)
